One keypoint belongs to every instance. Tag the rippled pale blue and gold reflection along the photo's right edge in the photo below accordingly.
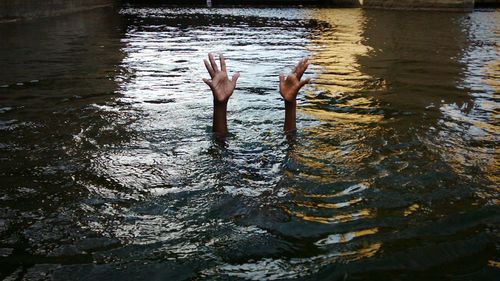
(467, 135)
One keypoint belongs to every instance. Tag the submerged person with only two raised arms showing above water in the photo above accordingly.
(222, 89)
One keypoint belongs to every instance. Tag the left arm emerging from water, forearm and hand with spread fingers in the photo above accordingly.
(222, 89)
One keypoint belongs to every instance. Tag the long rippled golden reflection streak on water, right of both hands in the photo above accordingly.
(335, 50)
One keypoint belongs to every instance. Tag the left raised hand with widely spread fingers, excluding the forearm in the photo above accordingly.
(222, 88)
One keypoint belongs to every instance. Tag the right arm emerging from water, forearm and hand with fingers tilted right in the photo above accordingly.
(289, 88)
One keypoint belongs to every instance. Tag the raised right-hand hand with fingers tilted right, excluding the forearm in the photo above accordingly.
(290, 86)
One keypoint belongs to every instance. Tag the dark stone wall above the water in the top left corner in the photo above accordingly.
(22, 9)
